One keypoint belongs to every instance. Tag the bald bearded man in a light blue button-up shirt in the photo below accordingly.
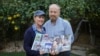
(57, 26)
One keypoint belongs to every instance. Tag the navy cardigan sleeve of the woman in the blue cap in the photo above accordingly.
(28, 39)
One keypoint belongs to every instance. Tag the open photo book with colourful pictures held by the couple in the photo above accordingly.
(46, 44)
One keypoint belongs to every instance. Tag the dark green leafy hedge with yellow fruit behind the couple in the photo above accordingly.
(16, 15)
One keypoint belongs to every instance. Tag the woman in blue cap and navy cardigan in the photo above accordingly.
(30, 33)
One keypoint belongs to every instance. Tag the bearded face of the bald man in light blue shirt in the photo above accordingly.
(54, 13)
